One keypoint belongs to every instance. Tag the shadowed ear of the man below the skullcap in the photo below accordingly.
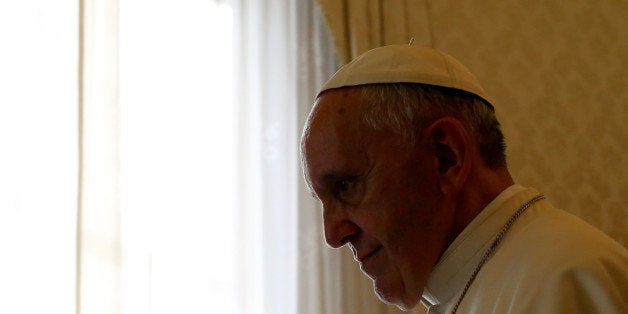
(450, 144)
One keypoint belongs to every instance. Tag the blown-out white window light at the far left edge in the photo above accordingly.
(38, 155)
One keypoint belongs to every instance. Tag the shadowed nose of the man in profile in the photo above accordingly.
(339, 228)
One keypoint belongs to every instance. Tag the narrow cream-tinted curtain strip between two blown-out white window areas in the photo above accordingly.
(98, 244)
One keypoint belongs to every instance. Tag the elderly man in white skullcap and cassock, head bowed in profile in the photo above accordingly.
(404, 152)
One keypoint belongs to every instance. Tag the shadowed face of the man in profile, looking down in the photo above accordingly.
(379, 195)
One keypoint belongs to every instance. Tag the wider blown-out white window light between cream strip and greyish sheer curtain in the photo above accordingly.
(178, 155)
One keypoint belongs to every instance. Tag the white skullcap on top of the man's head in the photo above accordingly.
(406, 64)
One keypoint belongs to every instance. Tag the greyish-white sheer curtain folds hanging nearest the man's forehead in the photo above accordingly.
(268, 163)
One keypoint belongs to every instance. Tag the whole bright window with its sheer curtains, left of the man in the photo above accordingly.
(130, 181)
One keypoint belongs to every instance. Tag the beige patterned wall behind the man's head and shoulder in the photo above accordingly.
(557, 72)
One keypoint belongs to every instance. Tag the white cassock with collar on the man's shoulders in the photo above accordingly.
(549, 261)
